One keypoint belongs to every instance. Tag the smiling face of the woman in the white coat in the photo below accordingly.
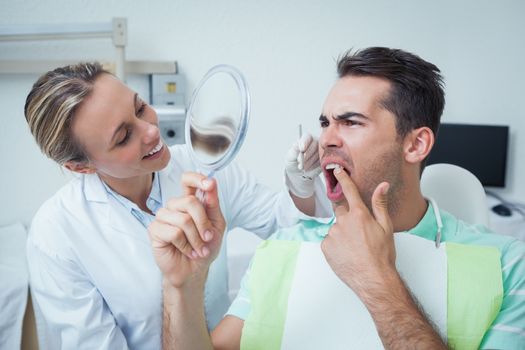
(119, 131)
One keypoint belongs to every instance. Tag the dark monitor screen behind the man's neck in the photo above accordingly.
(481, 149)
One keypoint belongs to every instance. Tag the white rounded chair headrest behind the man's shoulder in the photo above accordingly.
(457, 191)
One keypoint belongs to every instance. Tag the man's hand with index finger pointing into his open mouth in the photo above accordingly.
(360, 246)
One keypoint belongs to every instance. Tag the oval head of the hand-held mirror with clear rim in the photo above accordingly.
(217, 117)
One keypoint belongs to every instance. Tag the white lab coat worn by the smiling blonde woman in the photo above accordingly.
(94, 281)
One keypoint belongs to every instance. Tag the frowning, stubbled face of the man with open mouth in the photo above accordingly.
(360, 135)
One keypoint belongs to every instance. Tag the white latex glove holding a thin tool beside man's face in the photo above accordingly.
(304, 154)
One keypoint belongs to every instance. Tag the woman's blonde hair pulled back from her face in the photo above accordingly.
(51, 105)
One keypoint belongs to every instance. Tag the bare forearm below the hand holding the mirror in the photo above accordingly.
(184, 325)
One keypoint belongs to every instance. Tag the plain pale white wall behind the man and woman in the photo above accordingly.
(287, 50)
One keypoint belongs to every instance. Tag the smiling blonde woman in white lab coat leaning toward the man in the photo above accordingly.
(93, 278)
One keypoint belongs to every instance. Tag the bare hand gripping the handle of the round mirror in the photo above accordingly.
(186, 235)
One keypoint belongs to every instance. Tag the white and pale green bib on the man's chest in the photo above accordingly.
(297, 302)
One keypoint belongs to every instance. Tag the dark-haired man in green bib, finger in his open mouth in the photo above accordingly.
(378, 124)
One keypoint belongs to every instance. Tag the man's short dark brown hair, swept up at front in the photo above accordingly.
(416, 97)
